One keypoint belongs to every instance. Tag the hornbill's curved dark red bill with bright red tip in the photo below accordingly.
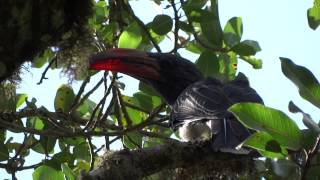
(132, 62)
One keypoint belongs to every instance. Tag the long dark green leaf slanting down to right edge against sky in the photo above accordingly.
(308, 85)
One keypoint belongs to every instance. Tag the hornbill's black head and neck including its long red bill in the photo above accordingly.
(168, 74)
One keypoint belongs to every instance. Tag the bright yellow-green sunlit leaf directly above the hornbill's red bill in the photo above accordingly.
(131, 37)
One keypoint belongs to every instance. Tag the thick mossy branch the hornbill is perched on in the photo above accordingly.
(141, 163)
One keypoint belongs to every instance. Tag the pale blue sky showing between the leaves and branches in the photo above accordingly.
(280, 27)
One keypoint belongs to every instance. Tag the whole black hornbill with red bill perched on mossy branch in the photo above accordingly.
(199, 105)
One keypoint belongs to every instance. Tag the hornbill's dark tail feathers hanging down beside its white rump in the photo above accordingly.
(228, 134)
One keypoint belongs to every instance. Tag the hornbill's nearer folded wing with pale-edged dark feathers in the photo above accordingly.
(201, 101)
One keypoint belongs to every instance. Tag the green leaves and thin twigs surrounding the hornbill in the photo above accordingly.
(65, 136)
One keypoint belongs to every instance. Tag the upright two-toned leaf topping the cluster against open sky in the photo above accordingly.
(233, 31)
